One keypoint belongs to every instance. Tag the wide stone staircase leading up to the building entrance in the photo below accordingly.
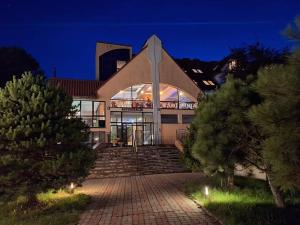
(124, 161)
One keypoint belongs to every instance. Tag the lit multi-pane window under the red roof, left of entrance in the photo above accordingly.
(91, 112)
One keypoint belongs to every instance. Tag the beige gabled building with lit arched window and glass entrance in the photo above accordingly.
(146, 99)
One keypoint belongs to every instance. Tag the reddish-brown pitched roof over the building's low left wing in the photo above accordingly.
(80, 88)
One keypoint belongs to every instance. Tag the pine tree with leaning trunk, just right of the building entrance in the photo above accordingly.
(226, 136)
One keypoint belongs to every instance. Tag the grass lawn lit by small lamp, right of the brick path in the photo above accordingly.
(249, 203)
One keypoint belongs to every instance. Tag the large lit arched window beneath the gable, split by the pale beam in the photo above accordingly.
(140, 96)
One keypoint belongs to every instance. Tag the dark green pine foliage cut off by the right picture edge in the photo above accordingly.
(278, 117)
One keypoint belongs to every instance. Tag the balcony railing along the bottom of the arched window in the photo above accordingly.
(148, 104)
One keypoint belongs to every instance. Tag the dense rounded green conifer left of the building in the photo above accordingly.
(40, 142)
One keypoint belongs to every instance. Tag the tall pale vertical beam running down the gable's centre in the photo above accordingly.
(155, 54)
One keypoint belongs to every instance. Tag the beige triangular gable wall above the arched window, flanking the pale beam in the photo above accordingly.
(138, 71)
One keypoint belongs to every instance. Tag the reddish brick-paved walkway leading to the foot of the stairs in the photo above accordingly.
(143, 200)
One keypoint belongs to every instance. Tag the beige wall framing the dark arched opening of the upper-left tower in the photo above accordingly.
(102, 48)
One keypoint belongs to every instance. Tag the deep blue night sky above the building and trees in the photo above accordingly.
(64, 33)
